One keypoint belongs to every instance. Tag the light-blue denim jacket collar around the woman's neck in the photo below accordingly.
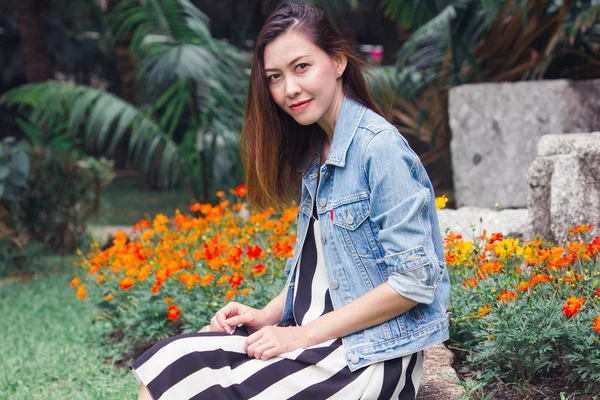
(345, 127)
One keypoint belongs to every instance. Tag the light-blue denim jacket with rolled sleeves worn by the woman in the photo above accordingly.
(379, 224)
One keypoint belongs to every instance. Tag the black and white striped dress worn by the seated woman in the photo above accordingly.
(214, 366)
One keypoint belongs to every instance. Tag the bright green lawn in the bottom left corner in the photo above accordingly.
(49, 349)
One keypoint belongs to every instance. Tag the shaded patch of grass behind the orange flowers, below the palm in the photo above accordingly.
(123, 202)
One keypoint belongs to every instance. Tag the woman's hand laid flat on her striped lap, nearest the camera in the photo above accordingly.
(272, 341)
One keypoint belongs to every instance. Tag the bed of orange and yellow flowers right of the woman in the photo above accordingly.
(521, 310)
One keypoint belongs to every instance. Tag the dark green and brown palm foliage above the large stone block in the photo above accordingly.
(465, 41)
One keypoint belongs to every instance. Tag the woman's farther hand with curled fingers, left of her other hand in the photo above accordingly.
(233, 314)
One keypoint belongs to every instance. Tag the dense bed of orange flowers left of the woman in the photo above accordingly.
(171, 276)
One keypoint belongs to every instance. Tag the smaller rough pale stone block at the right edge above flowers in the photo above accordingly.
(564, 185)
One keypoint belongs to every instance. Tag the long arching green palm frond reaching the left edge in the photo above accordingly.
(101, 116)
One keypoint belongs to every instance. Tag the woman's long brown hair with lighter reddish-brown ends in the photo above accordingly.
(272, 143)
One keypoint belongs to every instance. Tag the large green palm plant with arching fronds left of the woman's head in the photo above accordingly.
(193, 94)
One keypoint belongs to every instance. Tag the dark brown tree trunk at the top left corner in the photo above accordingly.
(33, 42)
